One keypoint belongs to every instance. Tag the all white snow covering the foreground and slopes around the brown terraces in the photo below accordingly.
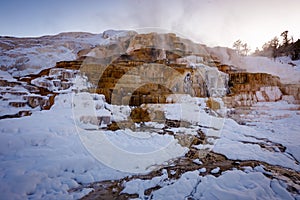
(47, 154)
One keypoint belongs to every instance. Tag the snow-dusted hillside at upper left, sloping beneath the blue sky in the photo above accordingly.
(23, 56)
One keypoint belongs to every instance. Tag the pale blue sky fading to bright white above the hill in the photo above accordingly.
(210, 22)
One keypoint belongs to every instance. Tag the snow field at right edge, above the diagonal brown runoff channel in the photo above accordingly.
(282, 127)
